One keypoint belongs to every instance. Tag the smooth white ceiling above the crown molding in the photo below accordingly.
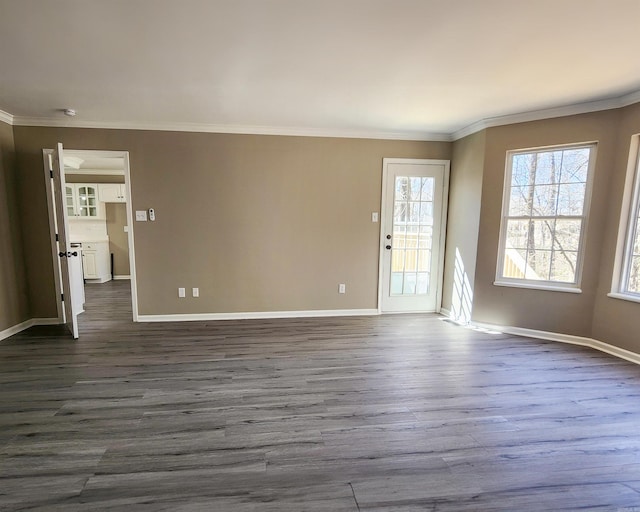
(402, 68)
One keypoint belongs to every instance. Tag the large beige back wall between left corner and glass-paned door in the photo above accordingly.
(258, 223)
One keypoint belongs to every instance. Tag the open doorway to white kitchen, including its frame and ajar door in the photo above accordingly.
(93, 222)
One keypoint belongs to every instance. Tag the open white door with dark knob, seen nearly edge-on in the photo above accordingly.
(65, 251)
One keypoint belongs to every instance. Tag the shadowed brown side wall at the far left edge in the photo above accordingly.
(14, 306)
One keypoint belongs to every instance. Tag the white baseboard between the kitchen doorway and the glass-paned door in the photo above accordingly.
(259, 315)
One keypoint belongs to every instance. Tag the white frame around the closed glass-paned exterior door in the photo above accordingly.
(443, 225)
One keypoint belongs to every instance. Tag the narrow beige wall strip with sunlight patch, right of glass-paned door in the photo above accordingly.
(465, 193)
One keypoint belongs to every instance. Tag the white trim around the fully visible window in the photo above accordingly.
(557, 286)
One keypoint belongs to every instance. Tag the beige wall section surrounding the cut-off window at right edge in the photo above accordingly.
(617, 321)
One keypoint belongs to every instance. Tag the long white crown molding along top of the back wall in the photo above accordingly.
(234, 129)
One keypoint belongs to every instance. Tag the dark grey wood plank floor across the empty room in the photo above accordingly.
(392, 413)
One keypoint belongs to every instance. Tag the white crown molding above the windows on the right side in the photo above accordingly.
(537, 115)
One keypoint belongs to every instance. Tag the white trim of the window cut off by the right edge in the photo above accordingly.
(628, 216)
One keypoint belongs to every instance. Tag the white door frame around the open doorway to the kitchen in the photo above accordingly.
(129, 208)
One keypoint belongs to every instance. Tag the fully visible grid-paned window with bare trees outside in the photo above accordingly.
(545, 206)
